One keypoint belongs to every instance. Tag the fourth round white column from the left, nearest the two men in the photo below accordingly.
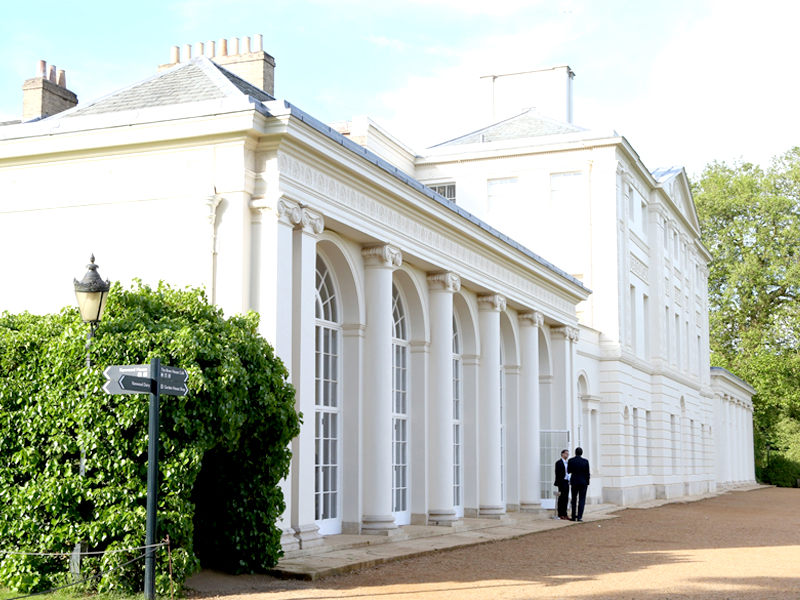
(529, 436)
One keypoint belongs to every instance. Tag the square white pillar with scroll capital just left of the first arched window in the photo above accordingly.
(308, 225)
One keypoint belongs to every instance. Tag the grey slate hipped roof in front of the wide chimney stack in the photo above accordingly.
(193, 81)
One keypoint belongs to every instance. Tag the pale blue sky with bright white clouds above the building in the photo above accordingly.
(686, 82)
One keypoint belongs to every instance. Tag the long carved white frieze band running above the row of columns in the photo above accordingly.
(391, 219)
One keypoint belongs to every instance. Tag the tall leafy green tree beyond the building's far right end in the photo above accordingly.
(750, 219)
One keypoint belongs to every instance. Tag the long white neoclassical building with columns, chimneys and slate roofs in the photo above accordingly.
(440, 362)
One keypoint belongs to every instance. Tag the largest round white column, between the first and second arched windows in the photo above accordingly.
(379, 262)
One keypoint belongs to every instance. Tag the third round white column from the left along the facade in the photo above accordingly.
(490, 495)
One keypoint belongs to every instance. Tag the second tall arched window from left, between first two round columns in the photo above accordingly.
(400, 432)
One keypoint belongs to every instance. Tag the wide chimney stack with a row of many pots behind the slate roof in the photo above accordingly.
(252, 64)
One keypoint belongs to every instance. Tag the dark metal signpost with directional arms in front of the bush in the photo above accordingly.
(155, 380)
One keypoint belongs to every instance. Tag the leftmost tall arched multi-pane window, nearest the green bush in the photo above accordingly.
(328, 411)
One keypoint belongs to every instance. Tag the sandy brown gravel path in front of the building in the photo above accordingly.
(741, 545)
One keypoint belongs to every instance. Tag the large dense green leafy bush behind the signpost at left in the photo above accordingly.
(239, 411)
